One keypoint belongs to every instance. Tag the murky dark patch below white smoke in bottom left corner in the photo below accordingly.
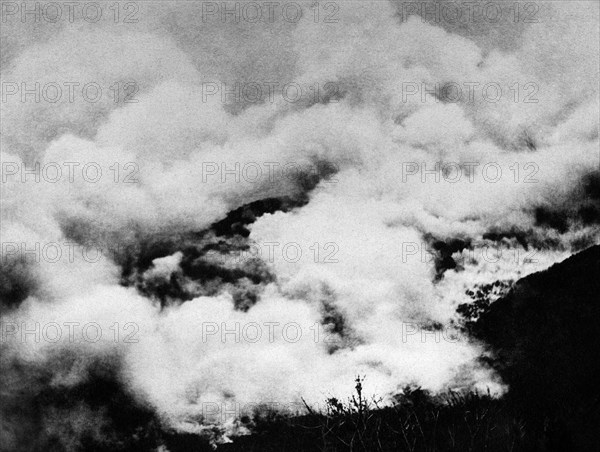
(42, 413)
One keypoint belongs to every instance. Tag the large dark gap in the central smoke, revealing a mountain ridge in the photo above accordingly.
(214, 260)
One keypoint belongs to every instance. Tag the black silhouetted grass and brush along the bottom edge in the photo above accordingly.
(417, 421)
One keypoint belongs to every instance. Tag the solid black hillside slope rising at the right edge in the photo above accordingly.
(545, 339)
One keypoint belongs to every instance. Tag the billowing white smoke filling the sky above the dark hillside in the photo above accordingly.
(383, 117)
